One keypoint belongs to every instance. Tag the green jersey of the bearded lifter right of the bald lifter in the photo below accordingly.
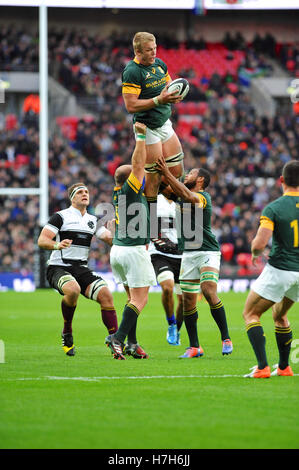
(188, 224)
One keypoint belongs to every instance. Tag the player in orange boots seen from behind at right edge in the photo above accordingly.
(278, 284)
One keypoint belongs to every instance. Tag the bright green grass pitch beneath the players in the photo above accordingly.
(172, 404)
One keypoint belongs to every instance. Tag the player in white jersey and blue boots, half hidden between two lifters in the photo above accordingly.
(167, 267)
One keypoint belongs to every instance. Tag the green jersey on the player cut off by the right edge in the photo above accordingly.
(282, 216)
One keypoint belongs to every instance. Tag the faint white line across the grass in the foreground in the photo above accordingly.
(146, 377)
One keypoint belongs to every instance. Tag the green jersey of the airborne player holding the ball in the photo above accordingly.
(147, 82)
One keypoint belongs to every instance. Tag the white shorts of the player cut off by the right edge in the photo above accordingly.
(275, 284)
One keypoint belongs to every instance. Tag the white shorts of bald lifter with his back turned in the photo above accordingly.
(131, 266)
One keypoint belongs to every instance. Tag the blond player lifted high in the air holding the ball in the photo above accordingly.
(145, 94)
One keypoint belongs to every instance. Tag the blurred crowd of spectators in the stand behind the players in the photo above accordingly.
(244, 152)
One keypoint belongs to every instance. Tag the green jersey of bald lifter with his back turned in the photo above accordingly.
(132, 224)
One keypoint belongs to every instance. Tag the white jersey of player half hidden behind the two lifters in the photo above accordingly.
(166, 213)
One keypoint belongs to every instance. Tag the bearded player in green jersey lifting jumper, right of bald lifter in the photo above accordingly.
(201, 257)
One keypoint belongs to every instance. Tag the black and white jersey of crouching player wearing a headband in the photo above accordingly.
(69, 223)
